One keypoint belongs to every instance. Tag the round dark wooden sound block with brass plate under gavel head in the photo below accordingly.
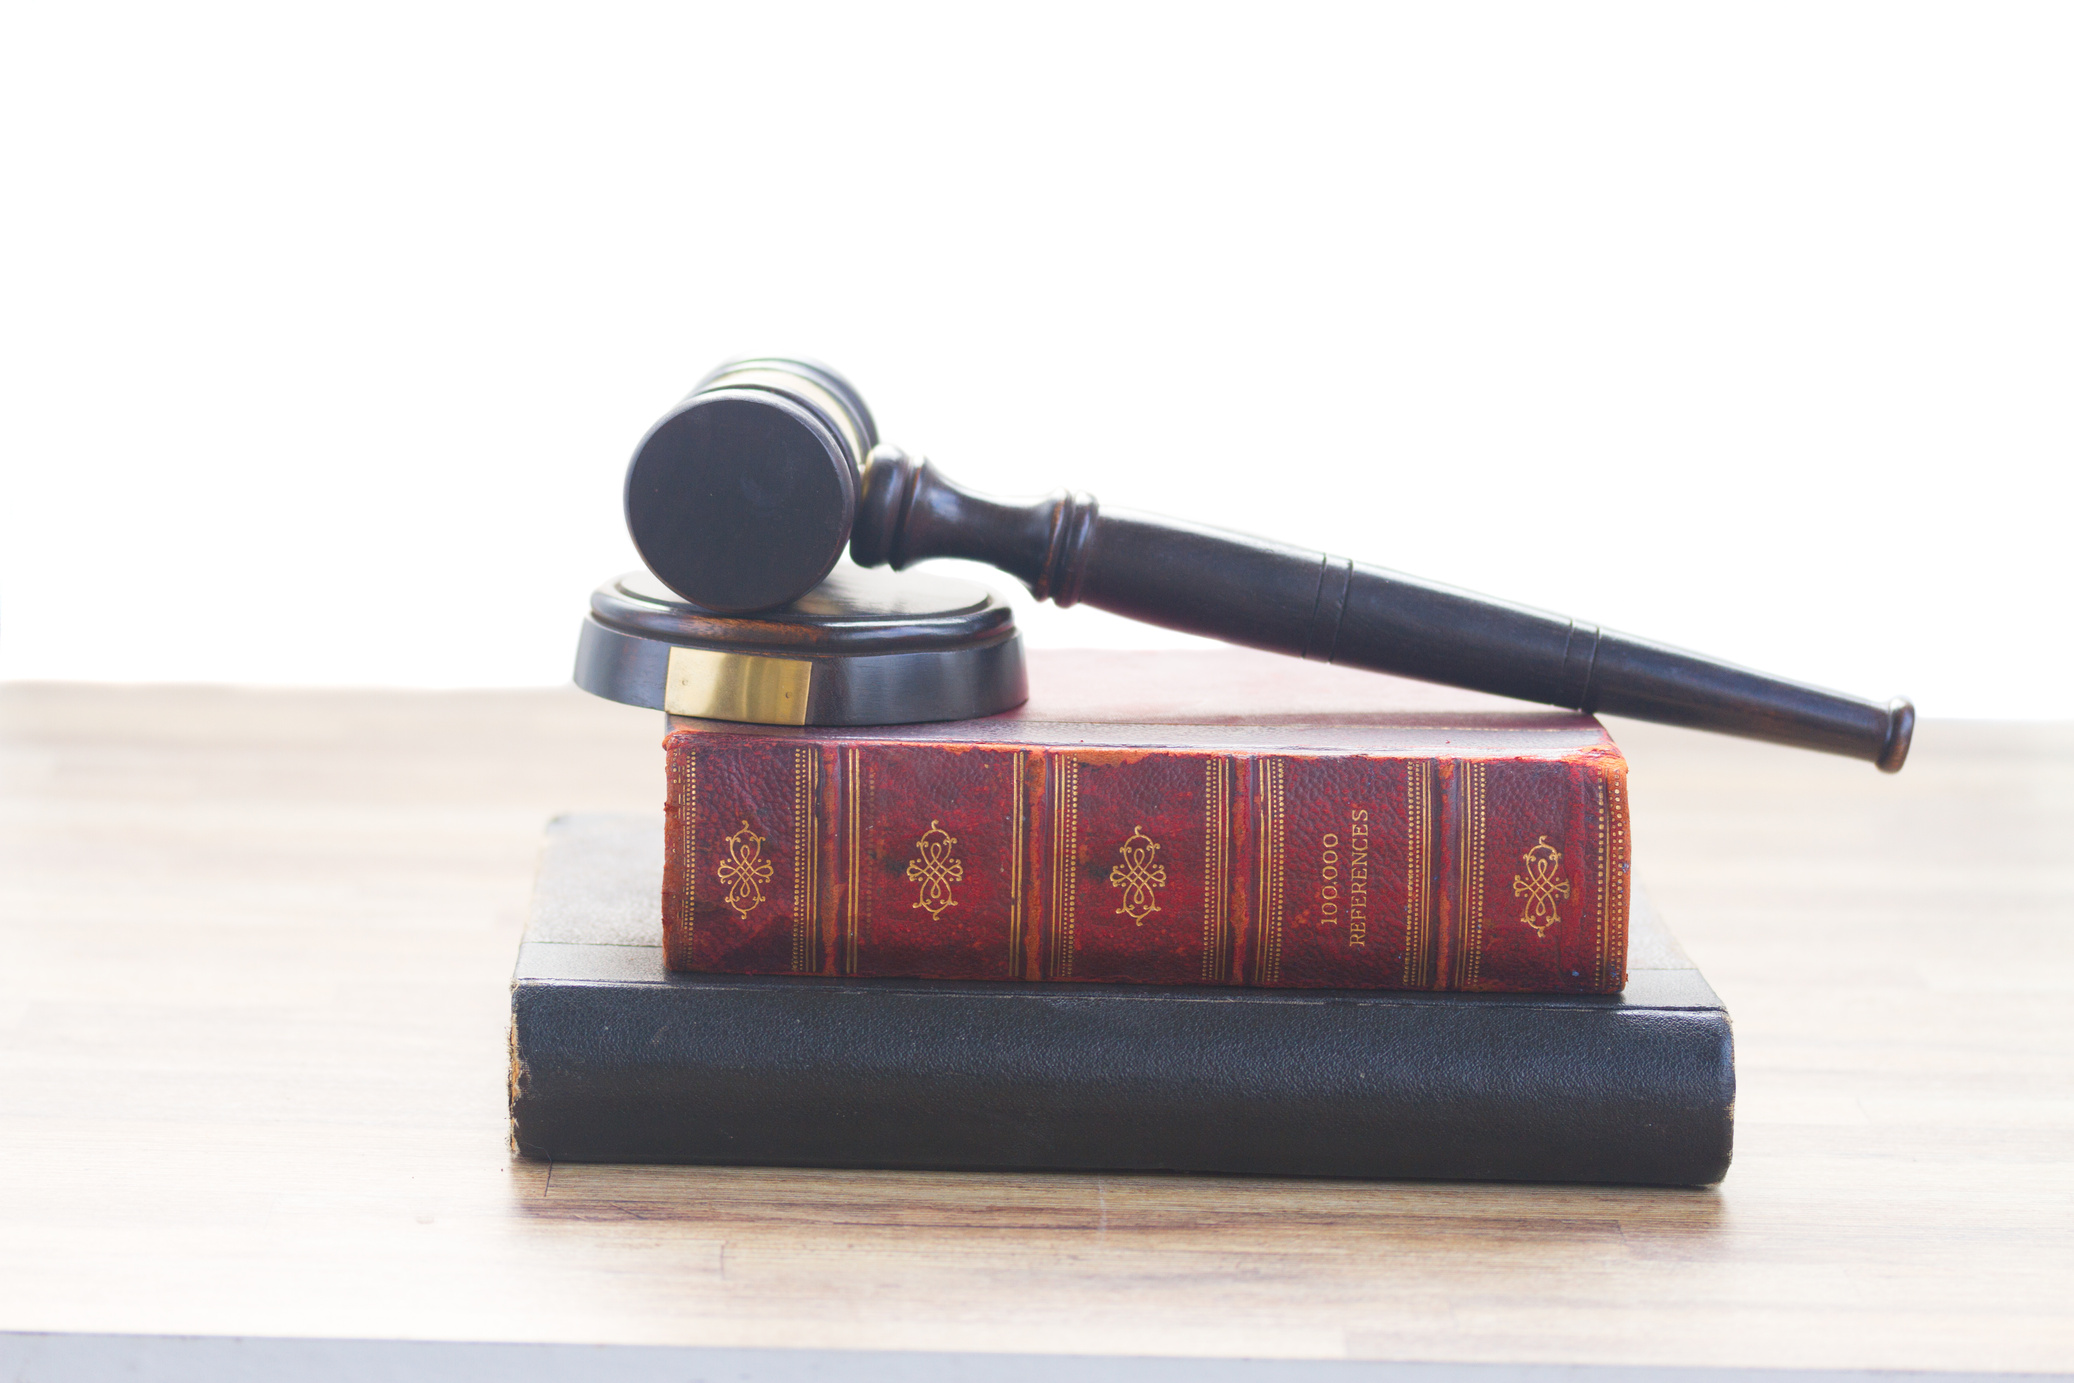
(864, 648)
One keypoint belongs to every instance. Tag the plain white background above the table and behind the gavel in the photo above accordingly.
(329, 329)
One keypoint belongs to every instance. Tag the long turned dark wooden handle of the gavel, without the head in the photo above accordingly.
(1310, 604)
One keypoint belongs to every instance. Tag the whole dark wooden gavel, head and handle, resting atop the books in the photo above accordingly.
(746, 495)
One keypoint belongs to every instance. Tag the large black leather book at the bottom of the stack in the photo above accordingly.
(621, 1061)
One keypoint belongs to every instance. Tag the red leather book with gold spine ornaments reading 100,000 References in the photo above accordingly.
(1162, 818)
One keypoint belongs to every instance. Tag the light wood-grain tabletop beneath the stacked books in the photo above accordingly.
(254, 955)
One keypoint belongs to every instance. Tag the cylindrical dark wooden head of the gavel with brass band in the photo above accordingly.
(744, 497)
